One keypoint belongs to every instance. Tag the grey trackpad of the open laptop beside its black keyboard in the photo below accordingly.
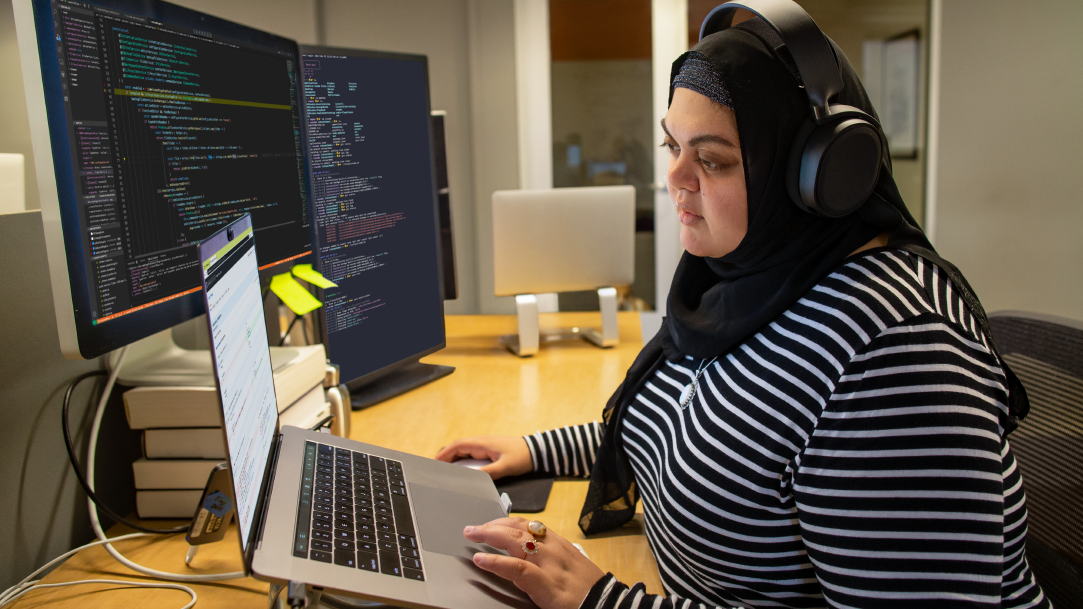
(442, 515)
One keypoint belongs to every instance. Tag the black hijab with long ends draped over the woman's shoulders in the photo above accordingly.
(717, 304)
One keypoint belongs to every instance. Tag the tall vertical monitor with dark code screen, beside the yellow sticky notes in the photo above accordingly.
(375, 215)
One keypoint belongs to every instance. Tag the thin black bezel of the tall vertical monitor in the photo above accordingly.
(390, 367)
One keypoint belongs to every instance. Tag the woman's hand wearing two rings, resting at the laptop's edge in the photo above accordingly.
(557, 577)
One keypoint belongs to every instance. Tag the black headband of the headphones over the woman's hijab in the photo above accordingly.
(808, 46)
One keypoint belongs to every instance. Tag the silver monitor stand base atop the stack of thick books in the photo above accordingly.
(159, 361)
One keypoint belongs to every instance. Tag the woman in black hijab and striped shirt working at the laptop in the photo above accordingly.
(820, 422)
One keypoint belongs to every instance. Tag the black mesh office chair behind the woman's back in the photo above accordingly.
(1047, 354)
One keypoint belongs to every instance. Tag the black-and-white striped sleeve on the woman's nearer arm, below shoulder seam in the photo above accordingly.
(902, 490)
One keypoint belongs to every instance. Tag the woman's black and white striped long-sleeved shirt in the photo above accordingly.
(849, 456)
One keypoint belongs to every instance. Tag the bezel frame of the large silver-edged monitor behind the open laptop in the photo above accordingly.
(80, 338)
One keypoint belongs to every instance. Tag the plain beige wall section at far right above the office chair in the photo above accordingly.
(1010, 212)
